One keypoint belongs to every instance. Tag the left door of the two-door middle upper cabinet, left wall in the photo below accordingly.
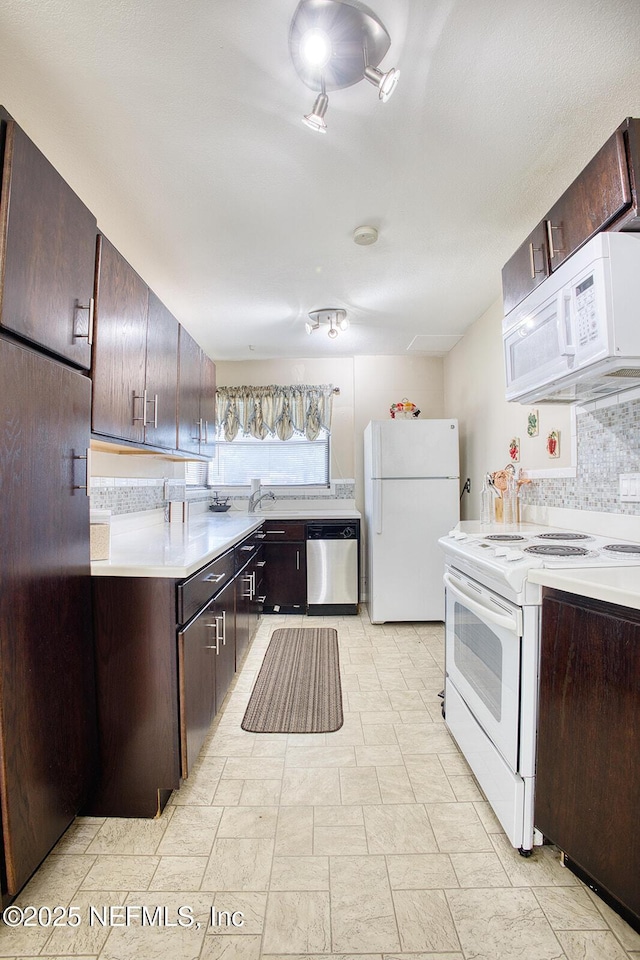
(119, 354)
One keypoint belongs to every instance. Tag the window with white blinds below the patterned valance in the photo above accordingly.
(294, 462)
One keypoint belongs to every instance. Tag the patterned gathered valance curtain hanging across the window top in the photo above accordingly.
(276, 411)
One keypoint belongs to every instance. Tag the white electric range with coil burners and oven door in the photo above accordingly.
(492, 651)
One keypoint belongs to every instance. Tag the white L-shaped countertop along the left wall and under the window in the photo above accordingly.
(177, 550)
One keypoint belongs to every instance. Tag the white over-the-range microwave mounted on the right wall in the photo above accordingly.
(576, 337)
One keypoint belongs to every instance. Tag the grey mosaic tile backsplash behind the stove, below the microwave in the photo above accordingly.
(608, 444)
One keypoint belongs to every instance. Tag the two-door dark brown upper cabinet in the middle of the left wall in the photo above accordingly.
(135, 364)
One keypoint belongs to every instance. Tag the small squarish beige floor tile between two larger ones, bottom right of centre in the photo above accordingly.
(424, 921)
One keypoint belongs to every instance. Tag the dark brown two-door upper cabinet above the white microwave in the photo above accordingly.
(603, 196)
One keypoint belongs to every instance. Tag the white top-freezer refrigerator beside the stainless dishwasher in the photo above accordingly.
(412, 497)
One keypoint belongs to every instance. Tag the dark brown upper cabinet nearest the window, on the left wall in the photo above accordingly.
(196, 398)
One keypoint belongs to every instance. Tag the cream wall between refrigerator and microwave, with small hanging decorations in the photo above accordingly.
(474, 387)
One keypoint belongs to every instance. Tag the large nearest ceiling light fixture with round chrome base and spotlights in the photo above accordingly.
(334, 44)
